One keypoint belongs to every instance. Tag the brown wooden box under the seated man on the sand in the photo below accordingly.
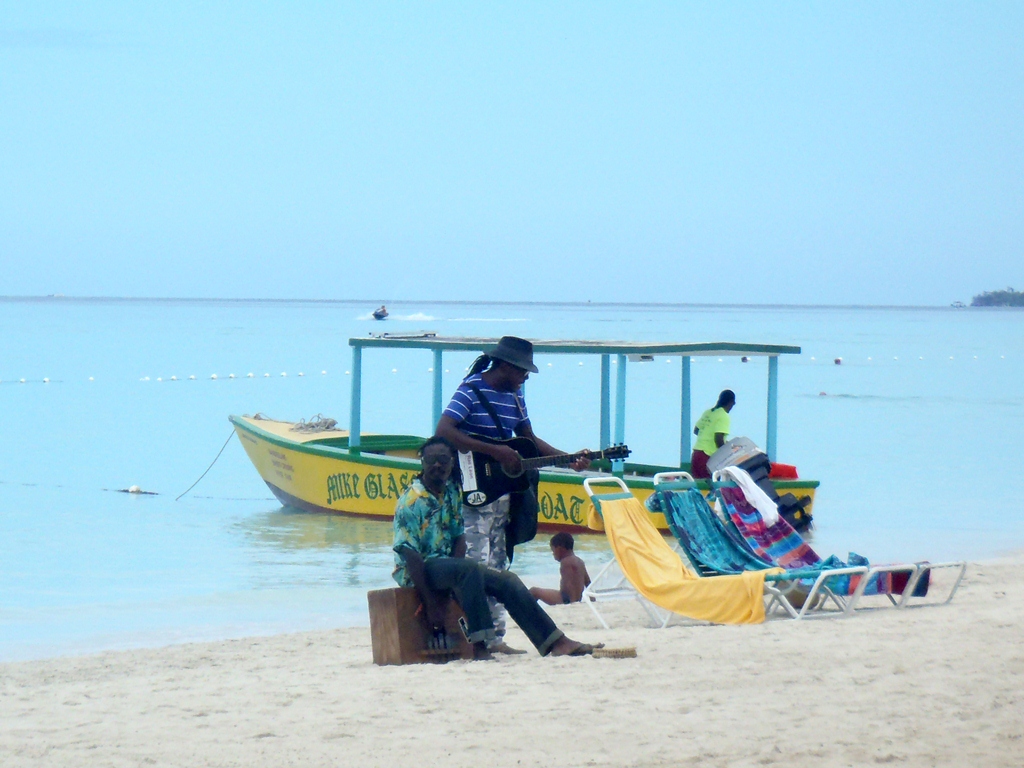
(400, 636)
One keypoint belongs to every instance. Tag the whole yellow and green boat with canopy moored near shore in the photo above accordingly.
(347, 473)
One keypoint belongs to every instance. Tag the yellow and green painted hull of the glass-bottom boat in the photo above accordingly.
(317, 475)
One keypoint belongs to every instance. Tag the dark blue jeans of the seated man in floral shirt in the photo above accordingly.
(473, 584)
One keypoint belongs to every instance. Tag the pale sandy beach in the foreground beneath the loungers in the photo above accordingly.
(920, 688)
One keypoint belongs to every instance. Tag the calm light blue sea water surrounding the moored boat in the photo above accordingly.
(916, 440)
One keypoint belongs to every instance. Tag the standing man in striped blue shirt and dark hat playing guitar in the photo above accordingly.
(494, 389)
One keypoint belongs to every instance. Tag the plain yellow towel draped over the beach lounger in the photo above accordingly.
(658, 573)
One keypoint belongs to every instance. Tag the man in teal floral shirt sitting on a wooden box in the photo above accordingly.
(431, 549)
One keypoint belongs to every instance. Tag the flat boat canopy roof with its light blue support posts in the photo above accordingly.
(622, 350)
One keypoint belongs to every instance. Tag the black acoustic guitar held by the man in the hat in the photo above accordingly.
(485, 481)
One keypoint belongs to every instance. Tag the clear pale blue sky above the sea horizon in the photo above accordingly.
(720, 153)
